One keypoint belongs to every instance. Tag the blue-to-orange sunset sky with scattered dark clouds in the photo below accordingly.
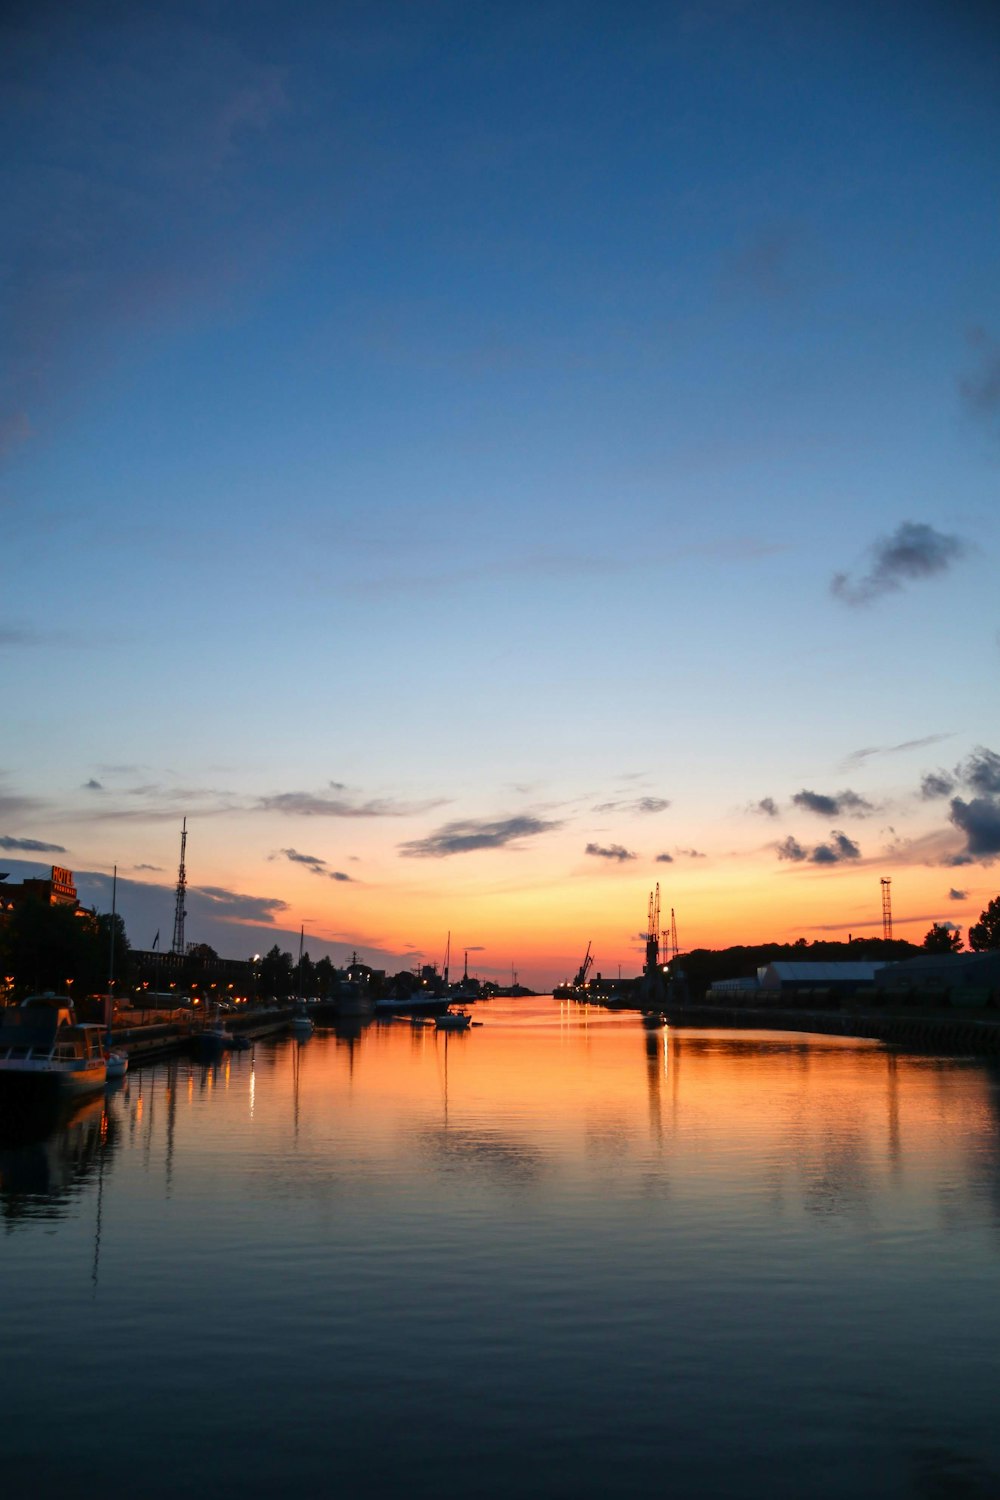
(479, 461)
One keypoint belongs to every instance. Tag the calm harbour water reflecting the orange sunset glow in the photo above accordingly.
(555, 1256)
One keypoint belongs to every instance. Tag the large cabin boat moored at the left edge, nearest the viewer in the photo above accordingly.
(46, 1051)
